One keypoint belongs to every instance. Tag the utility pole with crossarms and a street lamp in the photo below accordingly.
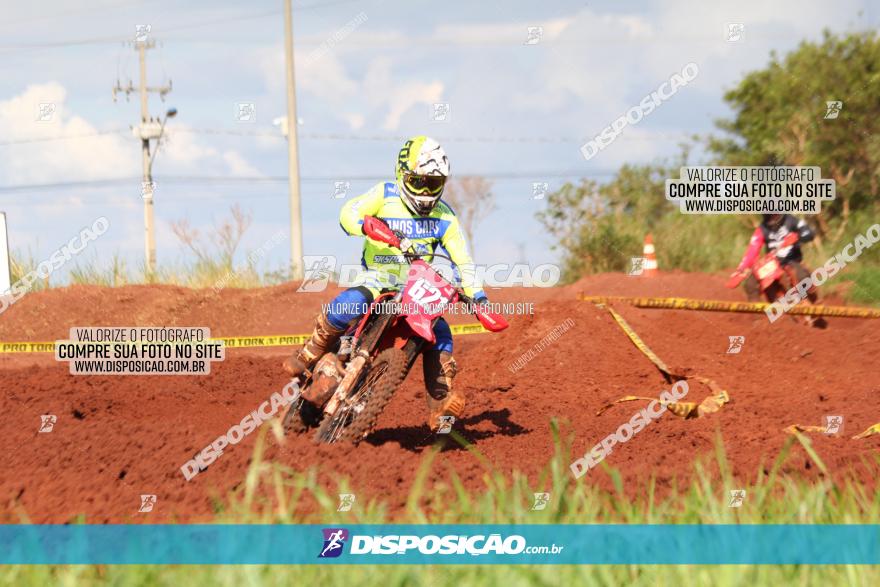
(148, 129)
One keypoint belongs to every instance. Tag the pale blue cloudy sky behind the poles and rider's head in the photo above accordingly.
(368, 74)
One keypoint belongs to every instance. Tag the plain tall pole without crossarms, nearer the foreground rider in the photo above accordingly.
(292, 150)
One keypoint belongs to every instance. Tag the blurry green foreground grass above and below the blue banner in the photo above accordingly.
(271, 492)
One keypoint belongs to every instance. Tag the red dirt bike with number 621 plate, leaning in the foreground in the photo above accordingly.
(349, 387)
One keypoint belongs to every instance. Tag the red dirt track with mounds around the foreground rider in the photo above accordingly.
(119, 437)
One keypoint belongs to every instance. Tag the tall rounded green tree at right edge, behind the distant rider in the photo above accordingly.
(780, 119)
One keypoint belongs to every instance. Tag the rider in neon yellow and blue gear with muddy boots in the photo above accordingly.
(411, 205)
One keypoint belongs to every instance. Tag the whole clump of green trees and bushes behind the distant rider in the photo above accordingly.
(779, 119)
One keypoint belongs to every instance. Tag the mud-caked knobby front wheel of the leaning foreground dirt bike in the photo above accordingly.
(357, 415)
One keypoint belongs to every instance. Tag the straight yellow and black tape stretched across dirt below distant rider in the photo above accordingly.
(724, 306)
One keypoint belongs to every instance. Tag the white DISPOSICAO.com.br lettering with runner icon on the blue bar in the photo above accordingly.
(431, 544)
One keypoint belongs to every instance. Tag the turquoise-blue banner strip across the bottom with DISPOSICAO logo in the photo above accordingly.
(440, 544)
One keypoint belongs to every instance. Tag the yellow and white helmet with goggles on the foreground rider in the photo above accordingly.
(422, 169)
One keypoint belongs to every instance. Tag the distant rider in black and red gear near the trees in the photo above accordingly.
(771, 232)
